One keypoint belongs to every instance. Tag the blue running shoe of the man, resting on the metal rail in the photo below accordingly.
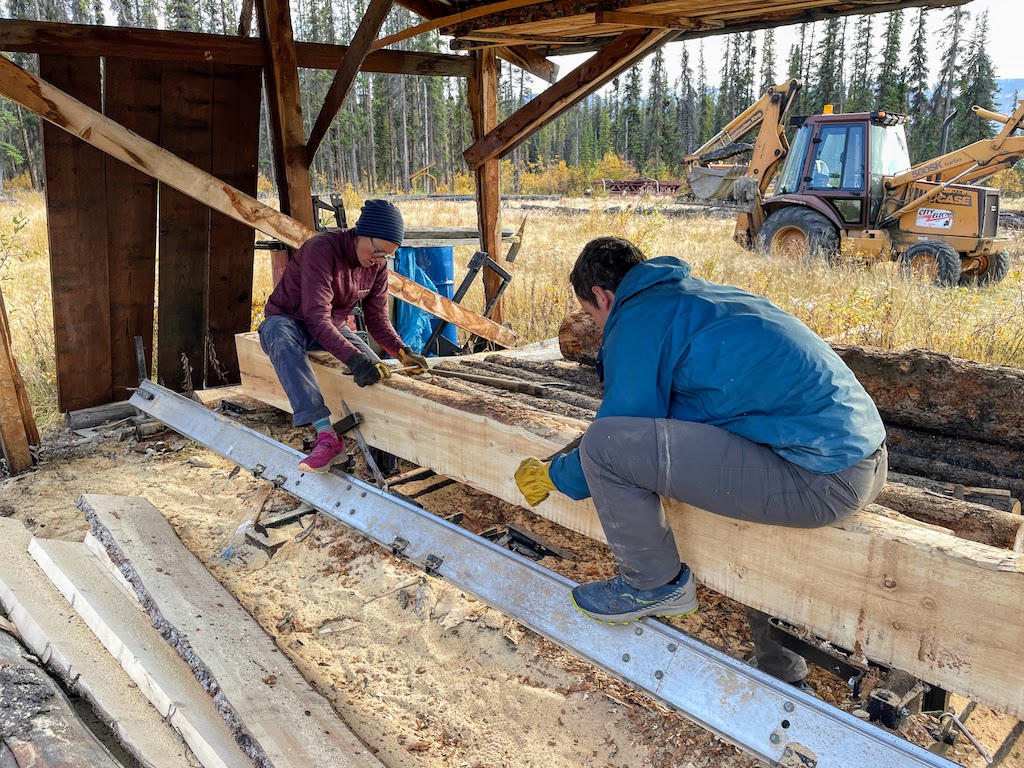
(615, 602)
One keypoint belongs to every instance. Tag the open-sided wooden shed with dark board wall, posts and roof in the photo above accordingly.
(152, 141)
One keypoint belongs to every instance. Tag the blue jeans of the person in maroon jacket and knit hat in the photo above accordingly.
(286, 342)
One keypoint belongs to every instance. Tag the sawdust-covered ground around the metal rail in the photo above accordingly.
(425, 676)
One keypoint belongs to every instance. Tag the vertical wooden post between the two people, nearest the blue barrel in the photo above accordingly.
(483, 92)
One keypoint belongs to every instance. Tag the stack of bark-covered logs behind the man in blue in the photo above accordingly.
(955, 430)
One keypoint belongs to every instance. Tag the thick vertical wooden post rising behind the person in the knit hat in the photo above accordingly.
(286, 112)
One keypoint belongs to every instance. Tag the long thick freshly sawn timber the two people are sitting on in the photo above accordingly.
(940, 608)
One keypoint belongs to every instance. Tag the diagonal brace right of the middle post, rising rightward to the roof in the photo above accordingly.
(613, 60)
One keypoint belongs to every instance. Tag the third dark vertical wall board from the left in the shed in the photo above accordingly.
(187, 106)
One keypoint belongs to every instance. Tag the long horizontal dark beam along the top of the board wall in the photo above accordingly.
(161, 46)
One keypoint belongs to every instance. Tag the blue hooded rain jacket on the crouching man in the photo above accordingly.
(681, 348)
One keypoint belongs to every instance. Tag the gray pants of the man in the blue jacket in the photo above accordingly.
(630, 463)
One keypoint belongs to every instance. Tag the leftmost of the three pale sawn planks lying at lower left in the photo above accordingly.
(52, 630)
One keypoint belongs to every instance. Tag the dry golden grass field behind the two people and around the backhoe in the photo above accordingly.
(846, 304)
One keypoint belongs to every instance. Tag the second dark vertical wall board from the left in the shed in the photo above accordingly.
(133, 99)
